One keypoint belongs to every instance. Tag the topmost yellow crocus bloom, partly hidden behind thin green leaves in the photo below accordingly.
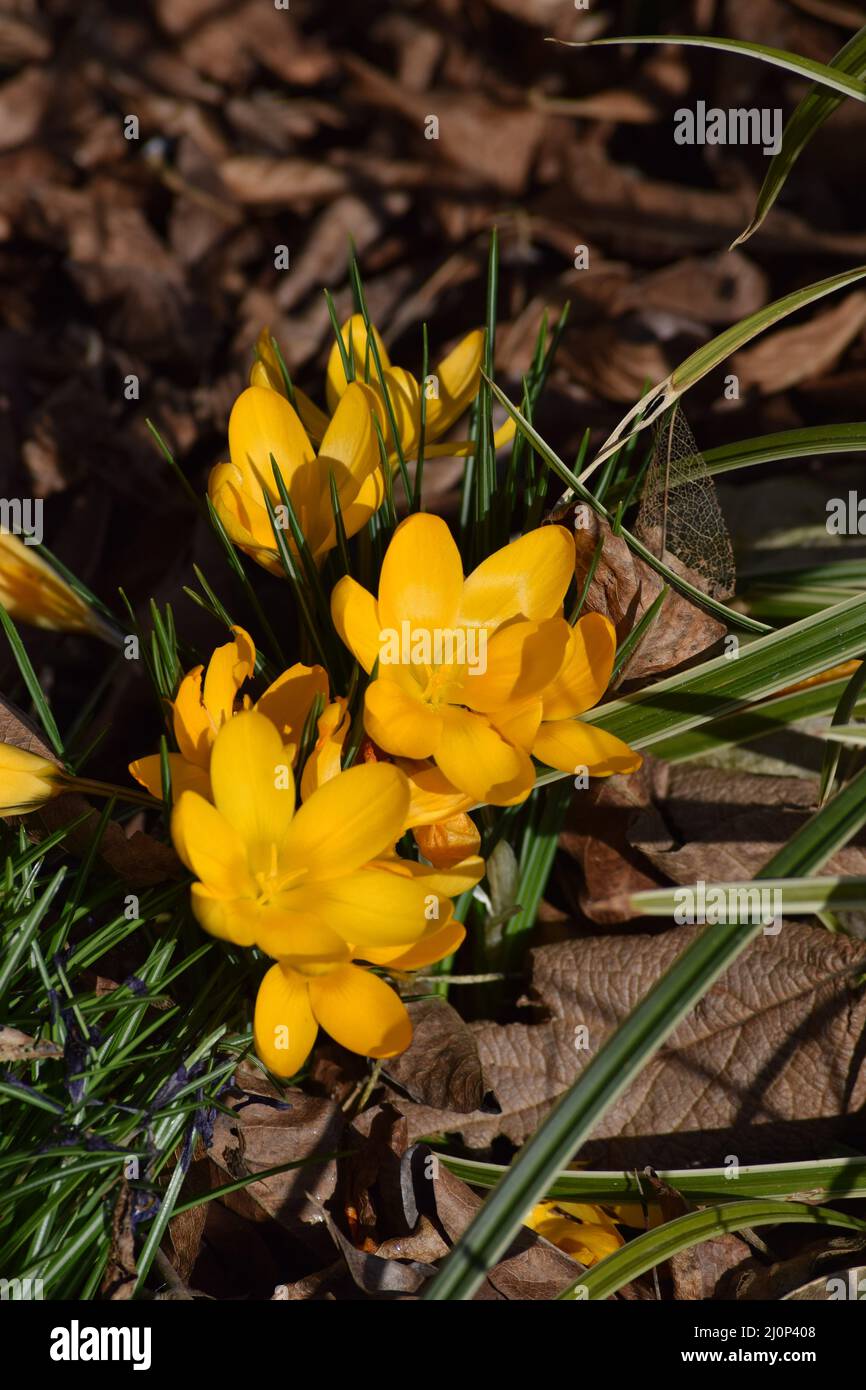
(451, 389)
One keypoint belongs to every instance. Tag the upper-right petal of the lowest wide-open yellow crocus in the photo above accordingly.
(350, 821)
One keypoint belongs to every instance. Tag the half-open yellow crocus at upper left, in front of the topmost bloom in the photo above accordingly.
(263, 426)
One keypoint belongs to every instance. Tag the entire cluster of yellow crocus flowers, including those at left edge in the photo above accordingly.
(327, 822)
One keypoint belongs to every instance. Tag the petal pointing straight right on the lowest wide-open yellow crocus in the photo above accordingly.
(370, 907)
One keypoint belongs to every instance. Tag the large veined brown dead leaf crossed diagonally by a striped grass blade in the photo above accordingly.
(768, 1065)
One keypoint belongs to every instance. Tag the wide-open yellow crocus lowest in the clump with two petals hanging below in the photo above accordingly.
(307, 888)
